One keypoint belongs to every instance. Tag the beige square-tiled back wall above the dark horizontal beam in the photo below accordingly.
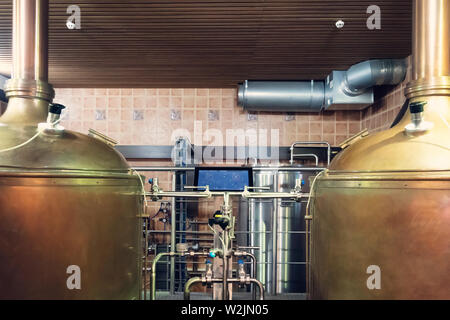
(150, 116)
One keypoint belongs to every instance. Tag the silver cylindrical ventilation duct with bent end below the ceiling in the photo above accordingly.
(351, 89)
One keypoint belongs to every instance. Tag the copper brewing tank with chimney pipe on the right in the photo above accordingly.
(385, 201)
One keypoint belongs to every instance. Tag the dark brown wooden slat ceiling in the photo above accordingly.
(210, 43)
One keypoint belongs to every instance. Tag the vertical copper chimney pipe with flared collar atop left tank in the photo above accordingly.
(28, 92)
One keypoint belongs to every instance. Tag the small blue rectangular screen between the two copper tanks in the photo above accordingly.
(223, 179)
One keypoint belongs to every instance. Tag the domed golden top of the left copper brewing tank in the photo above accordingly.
(68, 151)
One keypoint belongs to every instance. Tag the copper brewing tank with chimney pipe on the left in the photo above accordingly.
(67, 200)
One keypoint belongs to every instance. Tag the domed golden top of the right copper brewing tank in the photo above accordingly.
(397, 150)
